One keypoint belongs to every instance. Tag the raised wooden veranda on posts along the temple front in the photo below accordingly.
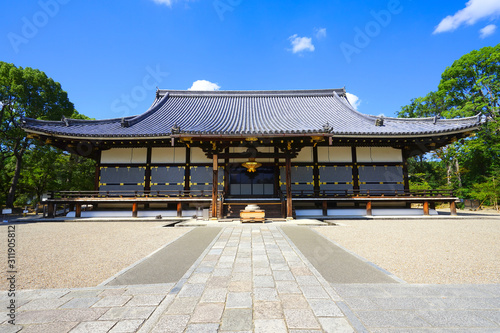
(76, 199)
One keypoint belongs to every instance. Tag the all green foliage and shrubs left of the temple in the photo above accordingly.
(28, 168)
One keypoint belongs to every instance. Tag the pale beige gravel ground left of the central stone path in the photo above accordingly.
(80, 254)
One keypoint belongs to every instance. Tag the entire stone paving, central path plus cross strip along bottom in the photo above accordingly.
(252, 278)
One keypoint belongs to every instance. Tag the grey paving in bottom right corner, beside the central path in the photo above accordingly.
(398, 308)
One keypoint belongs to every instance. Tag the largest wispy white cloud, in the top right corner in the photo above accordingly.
(474, 11)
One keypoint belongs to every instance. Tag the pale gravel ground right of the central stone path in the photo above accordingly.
(426, 251)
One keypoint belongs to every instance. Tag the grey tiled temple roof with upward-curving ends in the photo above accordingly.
(237, 113)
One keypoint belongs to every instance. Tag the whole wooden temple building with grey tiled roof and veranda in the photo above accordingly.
(294, 153)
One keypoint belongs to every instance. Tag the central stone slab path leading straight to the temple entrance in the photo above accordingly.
(252, 279)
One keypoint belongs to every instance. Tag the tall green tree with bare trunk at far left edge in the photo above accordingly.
(25, 92)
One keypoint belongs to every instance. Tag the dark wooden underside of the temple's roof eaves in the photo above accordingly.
(412, 146)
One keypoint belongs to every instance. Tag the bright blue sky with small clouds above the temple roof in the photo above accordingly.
(110, 55)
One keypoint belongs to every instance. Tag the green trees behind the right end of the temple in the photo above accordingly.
(470, 86)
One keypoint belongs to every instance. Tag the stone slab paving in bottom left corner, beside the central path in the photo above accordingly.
(104, 309)
